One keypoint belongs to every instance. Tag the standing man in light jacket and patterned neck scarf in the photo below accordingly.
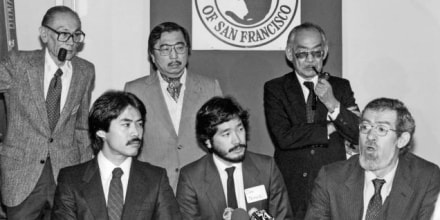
(172, 96)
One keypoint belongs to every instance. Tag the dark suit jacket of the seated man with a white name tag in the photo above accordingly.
(200, 193)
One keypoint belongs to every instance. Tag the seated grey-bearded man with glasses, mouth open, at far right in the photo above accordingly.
(385, 181)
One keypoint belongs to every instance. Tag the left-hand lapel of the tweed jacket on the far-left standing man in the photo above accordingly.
(36, 80)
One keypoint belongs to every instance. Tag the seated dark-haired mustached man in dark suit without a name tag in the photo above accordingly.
(114, 185)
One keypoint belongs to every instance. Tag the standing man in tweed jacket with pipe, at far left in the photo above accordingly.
(47, 96)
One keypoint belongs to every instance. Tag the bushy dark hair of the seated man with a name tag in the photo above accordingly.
(216, 111)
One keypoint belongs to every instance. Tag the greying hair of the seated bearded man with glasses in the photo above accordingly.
(405, 122)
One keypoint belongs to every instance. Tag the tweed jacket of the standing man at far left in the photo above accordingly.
(29, 139)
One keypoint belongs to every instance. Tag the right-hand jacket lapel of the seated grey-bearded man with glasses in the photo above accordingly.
(401, 192)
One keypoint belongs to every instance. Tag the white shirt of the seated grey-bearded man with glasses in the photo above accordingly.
(369, 187)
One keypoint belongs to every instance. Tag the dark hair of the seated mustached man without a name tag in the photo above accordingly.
(107, 108)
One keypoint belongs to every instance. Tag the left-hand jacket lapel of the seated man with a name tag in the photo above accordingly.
(211, 187)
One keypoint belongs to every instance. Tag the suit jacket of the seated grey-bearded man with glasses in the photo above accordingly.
(339, 187)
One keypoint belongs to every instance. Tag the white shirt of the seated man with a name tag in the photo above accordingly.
(238, 179)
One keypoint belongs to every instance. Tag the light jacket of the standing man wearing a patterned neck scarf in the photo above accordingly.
(162, 146)
